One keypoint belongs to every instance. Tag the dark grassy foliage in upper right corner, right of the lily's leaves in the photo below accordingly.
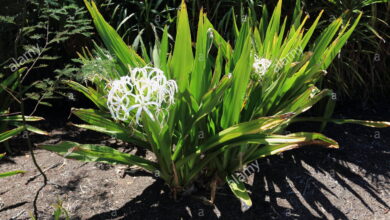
(362, 63)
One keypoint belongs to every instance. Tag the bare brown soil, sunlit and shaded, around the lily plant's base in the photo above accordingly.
(352, 182)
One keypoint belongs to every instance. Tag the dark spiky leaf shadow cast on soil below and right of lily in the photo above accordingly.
(311, 183)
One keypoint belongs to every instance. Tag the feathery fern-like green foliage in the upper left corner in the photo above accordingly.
(41, 32)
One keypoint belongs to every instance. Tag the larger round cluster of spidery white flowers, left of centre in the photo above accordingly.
(145, 89)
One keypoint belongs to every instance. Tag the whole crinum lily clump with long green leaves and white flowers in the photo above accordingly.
(205, 111)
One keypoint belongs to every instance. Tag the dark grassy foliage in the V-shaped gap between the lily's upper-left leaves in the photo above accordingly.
(139, 22)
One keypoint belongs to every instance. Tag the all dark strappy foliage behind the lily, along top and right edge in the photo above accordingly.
(348, 74)
